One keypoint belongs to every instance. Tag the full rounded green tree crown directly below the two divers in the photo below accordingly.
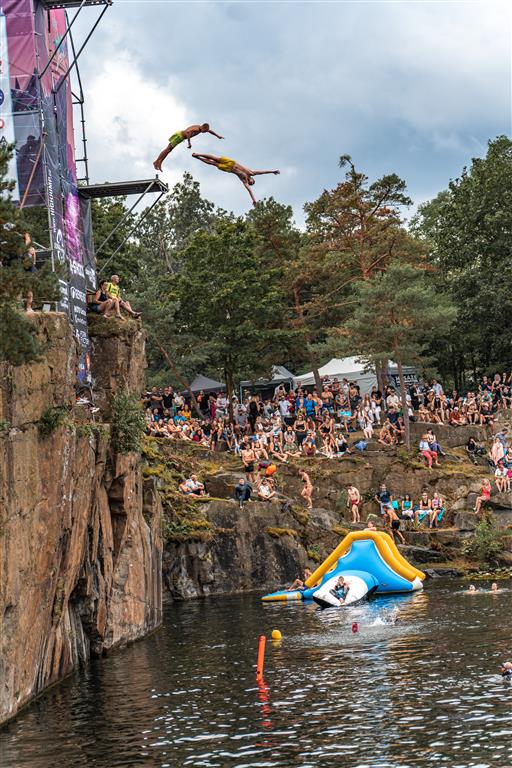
(229, 300)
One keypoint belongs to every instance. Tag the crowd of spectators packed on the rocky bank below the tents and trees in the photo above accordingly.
(334, 422)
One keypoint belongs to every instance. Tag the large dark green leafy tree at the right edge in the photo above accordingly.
(468, 229)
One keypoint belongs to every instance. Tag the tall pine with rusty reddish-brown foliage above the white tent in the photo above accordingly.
(354, 233)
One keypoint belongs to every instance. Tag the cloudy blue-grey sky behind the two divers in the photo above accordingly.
(415, 88)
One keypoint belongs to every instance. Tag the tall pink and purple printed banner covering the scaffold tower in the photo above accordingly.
(40, 111)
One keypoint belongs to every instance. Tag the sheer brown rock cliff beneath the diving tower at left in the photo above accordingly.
(80, 540)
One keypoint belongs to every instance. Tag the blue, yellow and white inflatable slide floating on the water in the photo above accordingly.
(371, 563)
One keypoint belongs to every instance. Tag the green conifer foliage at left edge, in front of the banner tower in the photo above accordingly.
(18, 343)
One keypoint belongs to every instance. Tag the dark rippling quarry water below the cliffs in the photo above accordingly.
(425, 691)
